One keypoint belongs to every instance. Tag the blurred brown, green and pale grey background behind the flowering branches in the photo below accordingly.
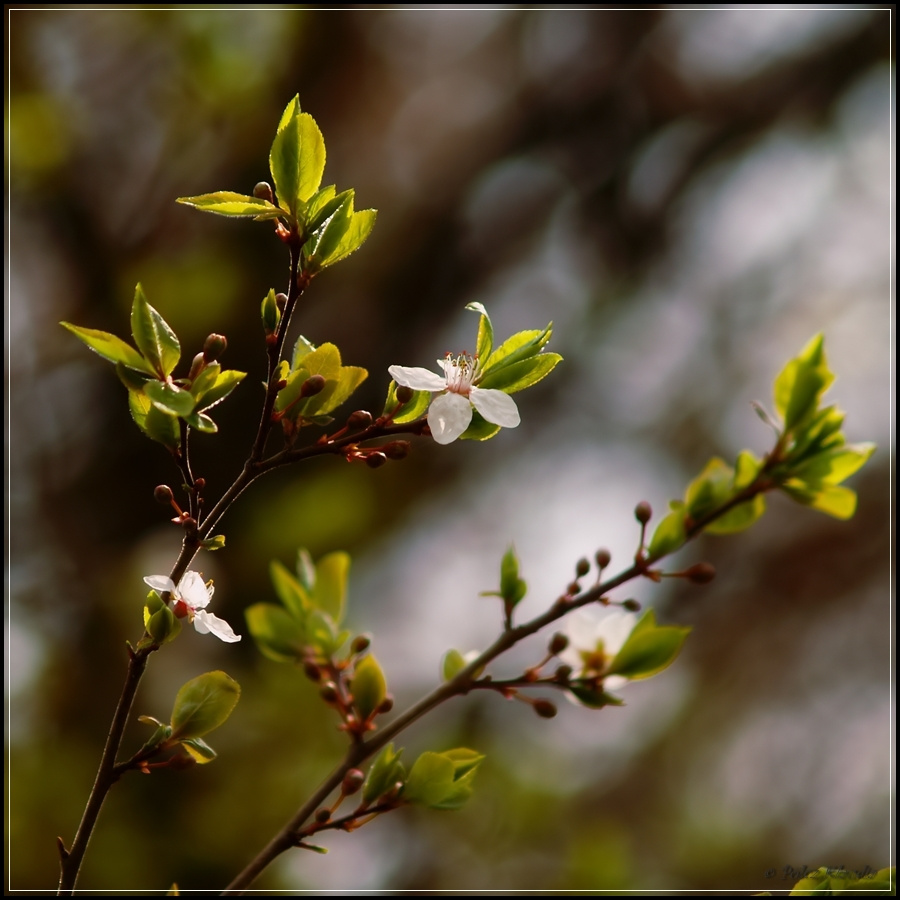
(689, 195)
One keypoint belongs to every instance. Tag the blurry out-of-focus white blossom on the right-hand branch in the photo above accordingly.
(594, 640)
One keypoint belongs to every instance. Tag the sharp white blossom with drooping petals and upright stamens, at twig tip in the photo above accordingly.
(450, 413)
